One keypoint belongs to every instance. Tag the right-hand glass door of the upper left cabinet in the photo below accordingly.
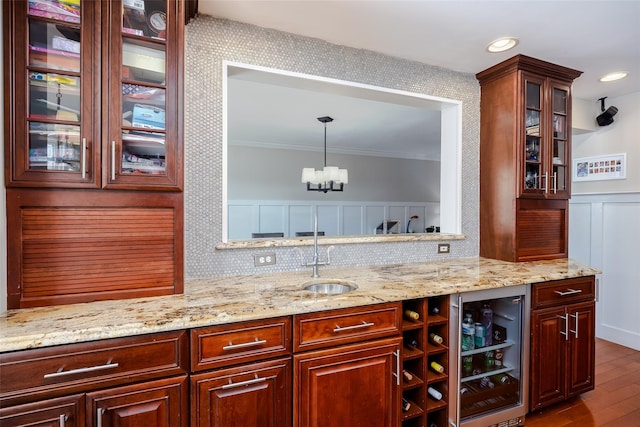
(144, 121)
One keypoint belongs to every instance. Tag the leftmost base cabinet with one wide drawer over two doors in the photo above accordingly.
(139, 380)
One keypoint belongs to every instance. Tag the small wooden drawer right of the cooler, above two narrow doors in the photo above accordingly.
(560, 292)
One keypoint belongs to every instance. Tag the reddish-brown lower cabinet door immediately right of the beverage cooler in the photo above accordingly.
(548, 347)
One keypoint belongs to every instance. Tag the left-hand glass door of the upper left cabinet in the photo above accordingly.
(50, 105)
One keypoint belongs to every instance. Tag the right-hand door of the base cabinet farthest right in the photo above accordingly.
(581, 356)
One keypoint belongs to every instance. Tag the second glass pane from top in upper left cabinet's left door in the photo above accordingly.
(54, 46)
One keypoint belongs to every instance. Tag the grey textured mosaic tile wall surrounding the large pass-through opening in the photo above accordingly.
(209, 41)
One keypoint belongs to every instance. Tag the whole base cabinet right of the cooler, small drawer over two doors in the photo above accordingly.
(562, 340)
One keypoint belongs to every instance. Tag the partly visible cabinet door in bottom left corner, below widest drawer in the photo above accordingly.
(67, 411)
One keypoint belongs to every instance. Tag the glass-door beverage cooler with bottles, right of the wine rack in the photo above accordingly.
(489, 333)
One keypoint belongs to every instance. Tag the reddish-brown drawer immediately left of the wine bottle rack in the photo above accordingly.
(318, 330)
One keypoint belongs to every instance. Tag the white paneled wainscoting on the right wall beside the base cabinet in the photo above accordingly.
(605, 233)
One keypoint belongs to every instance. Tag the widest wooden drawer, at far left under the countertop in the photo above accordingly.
(53, 371)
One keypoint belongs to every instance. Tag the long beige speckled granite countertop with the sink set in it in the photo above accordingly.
(222, 300)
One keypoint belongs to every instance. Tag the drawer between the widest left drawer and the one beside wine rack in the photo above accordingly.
(217, 346)
